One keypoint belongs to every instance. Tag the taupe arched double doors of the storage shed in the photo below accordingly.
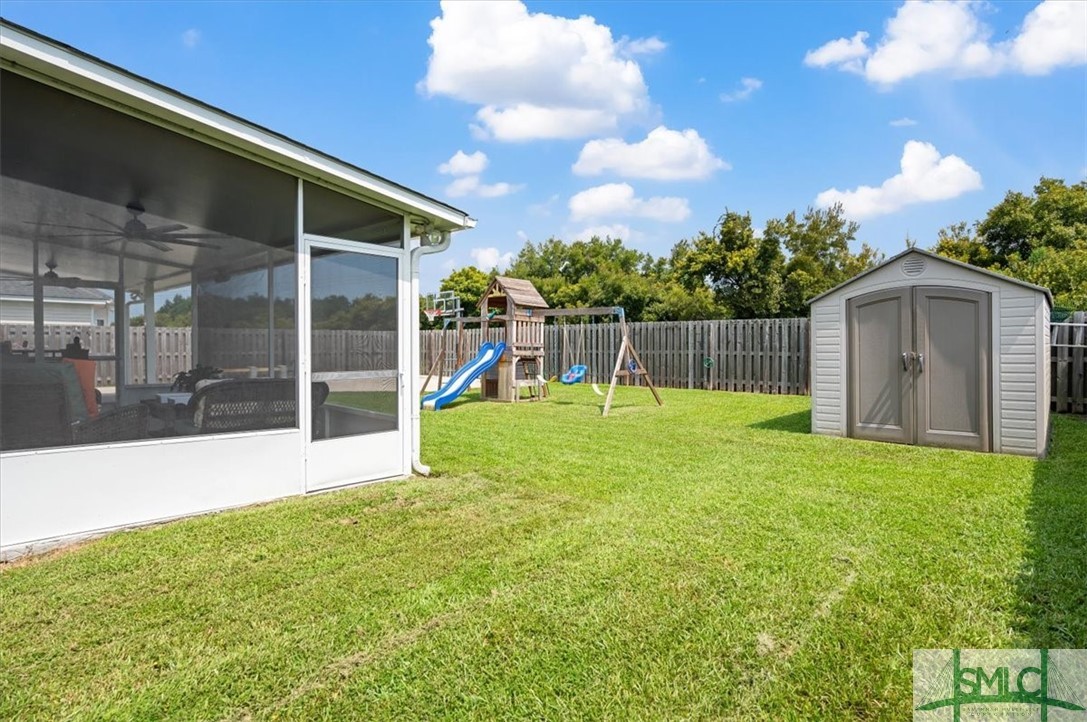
(919, 360)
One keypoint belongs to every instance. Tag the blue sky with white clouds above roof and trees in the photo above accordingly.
(644, 119)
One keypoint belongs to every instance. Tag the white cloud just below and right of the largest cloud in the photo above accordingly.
(665, 155)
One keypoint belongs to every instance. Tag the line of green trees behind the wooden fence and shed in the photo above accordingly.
(739, 271)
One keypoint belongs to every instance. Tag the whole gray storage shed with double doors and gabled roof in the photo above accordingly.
(927, 351)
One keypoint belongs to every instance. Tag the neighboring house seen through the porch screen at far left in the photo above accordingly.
(74, 307)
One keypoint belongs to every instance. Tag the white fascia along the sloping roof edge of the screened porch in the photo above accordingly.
(80, 70)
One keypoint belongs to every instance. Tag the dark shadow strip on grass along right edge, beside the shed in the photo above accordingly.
(1053, 583)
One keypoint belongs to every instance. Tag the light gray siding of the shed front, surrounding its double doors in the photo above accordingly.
(1020, 342)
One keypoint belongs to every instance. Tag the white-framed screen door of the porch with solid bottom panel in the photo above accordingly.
(356, 334)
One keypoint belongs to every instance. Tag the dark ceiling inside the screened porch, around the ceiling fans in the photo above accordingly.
(67, 161)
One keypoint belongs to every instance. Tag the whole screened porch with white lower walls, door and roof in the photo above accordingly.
(303, 272)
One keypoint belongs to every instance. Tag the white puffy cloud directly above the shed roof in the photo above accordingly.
(927, 177)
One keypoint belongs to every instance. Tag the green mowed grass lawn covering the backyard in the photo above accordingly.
(706, 561)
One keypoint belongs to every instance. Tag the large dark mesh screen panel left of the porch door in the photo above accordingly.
(143, 225)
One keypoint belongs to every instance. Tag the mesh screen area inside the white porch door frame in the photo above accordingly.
(355, 344)
